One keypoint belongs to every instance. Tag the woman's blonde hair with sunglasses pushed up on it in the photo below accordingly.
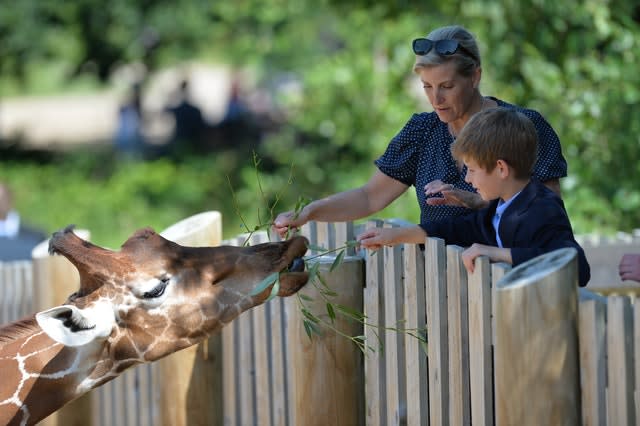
(465, 64)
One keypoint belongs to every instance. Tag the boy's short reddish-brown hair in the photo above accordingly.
(498, 134)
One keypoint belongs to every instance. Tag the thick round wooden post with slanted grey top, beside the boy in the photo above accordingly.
(536, 350)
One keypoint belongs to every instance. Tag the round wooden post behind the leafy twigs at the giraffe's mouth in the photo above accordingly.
(326, 372)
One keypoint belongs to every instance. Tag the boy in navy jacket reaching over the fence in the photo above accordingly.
(524, 219)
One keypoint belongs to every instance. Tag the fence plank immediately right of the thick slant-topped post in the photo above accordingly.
(591, 331)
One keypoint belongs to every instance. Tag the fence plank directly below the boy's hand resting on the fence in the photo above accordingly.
(480, 360)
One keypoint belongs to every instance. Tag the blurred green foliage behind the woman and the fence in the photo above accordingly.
(575, 61)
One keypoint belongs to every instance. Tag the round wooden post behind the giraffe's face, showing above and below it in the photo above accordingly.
(190, 381)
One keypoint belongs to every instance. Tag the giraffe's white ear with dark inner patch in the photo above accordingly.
(72, 326)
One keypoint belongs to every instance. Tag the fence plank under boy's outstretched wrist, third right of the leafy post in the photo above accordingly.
(415, 320)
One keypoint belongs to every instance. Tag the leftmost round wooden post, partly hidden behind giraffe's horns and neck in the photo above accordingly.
(54, 279)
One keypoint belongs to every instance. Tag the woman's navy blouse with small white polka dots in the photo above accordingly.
(420, 154)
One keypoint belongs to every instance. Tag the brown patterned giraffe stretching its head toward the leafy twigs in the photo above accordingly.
(151, 298)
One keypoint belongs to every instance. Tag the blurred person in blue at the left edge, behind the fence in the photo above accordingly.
(16, 240)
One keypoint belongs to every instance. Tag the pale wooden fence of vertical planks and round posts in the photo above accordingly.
(264, 370)
